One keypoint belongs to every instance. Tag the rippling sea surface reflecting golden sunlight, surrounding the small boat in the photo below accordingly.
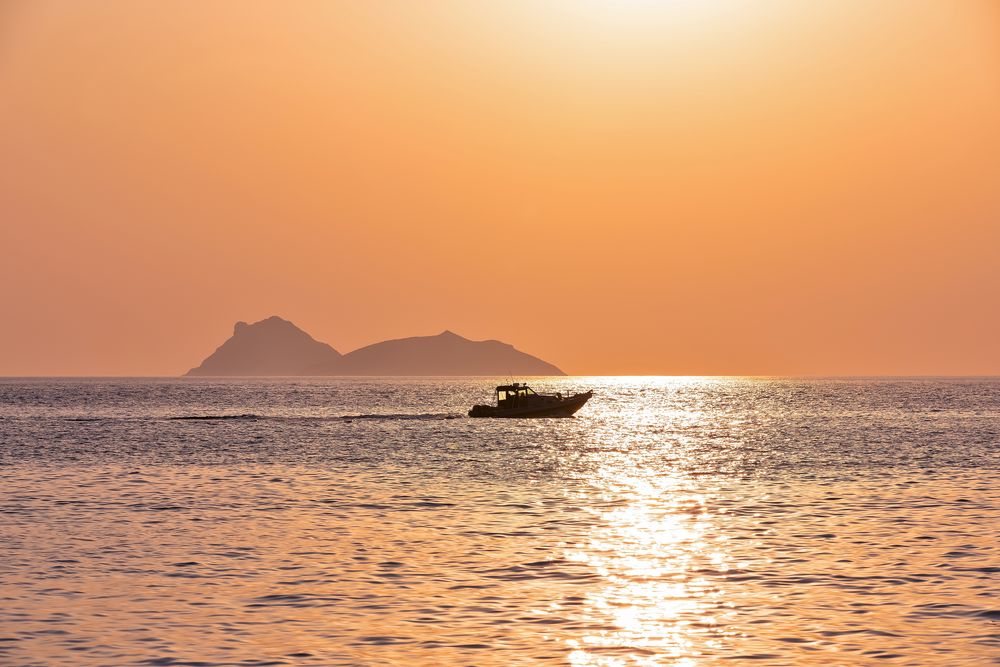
(673, 521)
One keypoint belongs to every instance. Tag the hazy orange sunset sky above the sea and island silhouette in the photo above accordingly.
(619, 187)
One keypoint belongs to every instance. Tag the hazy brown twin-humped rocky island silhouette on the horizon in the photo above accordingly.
(275, 346)
